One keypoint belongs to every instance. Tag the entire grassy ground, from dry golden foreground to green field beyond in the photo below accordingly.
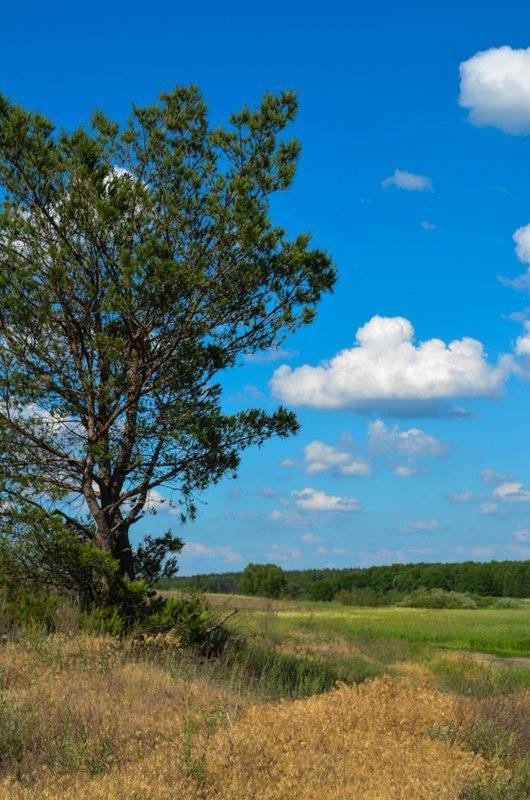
(317, 702)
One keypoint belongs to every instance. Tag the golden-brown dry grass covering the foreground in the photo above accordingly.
(83, 718)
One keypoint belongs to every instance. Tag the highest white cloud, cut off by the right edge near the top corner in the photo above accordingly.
(495, 87)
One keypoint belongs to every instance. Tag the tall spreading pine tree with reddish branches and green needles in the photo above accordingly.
(138, 263)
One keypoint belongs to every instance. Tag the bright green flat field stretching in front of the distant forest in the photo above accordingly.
(503, 632)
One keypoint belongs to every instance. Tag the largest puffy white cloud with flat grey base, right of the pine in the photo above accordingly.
(386, 371)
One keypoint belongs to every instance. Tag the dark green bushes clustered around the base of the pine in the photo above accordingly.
(43, 564)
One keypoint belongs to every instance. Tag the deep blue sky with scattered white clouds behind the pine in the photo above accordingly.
(396, 474)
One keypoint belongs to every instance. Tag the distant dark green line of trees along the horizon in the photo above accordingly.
(493, 578)
